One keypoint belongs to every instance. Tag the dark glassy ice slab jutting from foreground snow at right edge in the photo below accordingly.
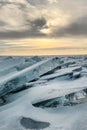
(69, 99)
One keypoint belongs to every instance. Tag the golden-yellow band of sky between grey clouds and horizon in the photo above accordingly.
(44, 47)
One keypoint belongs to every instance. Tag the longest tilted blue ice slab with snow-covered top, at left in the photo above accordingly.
(17, 80)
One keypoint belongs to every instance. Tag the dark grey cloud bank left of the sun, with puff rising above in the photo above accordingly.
(34, 31)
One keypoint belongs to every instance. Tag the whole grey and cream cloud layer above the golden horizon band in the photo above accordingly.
(26, 10)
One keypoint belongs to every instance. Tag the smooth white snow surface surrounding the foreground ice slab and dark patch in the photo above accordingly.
(19, 104)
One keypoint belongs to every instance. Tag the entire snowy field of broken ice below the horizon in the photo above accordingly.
(52, 96)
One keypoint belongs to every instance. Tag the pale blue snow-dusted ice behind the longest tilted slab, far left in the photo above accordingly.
(17, 63)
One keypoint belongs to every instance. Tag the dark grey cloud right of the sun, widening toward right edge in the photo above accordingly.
(76, 28)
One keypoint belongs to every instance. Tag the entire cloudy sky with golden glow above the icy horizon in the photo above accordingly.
(43, 27)
